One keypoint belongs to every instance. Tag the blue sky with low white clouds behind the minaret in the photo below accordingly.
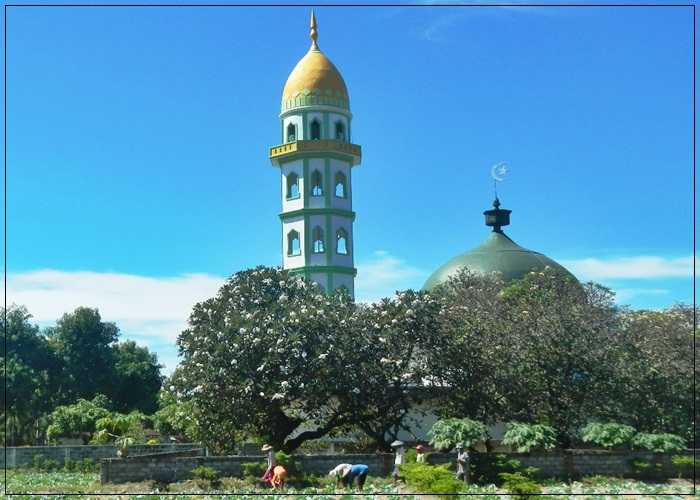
(137, 165)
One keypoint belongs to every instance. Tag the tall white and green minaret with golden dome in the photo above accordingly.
(315, 160)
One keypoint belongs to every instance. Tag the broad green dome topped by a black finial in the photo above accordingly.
(497, 254)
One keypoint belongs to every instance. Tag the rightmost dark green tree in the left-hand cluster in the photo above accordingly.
(137, 378)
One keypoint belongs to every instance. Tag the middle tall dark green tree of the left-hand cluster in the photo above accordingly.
(85, 345)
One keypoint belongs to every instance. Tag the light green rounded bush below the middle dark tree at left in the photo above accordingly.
(78, 419)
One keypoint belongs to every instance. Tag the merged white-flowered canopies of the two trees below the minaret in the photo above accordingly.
(281, 348)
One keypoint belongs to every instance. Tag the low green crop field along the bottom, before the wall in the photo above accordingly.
(30, 483)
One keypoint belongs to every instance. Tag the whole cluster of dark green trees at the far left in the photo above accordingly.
(76, 359)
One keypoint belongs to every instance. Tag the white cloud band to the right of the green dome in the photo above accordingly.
(645, 267)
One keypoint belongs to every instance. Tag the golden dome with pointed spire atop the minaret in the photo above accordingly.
(314, 80)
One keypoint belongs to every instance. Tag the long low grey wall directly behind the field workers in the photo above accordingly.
(562, 464)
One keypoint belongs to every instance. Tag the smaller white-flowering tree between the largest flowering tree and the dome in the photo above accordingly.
(388, 354)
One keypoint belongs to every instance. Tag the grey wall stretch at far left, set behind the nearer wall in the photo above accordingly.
(24, 455)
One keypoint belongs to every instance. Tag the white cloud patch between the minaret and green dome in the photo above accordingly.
(383, 274)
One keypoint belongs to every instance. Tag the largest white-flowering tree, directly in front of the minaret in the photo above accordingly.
(258, 359)
